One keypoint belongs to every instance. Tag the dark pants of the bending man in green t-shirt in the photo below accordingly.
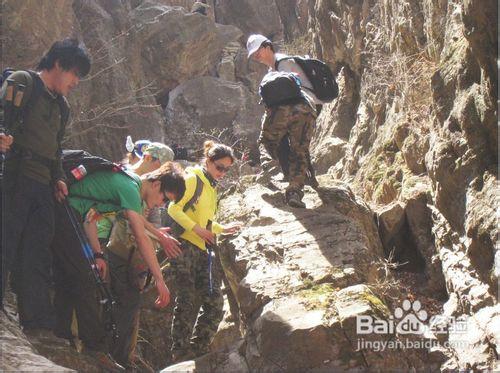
(75, 287)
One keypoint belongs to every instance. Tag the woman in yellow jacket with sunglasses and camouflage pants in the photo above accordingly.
(194, 280)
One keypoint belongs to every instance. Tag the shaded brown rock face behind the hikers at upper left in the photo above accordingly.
(141, 52)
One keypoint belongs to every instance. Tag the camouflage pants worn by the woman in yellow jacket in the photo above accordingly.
(197, 313)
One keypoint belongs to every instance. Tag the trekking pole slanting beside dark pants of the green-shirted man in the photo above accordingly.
(106, 298)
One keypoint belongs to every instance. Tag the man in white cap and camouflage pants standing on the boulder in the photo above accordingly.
(295, 121)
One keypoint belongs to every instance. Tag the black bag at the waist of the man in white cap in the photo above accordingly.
(280, 88)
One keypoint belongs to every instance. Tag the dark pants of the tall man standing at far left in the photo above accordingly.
(28, 226)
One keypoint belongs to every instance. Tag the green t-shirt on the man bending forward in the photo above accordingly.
(106, 191)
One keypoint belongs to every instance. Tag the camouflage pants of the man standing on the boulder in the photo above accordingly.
(296, 122)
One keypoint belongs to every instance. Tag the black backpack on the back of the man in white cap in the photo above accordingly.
(319, 74)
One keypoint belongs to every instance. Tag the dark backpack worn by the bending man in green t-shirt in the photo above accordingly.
(79, 163)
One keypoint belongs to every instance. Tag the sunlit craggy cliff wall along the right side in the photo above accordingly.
(414, 132)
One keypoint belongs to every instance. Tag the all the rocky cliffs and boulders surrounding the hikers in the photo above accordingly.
(407, 152)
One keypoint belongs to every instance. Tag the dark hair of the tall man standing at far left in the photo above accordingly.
(70, 54)
